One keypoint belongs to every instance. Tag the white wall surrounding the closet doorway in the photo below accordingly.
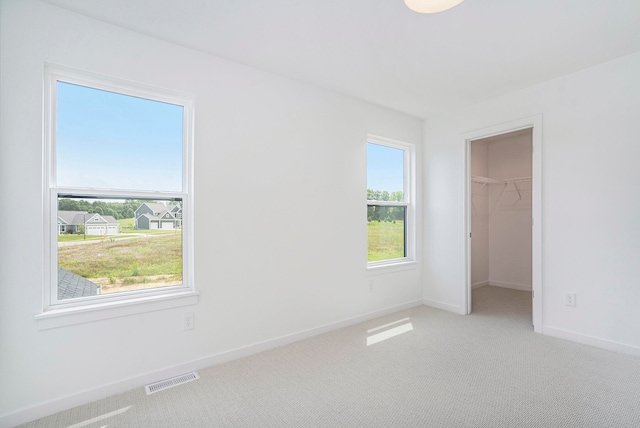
(590, 208)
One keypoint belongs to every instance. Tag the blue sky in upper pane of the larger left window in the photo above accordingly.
(111, 140)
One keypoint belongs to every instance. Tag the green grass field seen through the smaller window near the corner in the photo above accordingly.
(386, 240)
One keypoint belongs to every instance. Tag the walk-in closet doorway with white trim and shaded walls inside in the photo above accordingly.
(503, 205)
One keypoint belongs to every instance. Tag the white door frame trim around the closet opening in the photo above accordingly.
(535, 124)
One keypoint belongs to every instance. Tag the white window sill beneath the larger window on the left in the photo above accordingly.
(99, 311)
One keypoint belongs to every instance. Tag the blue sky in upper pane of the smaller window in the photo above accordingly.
(385, 168)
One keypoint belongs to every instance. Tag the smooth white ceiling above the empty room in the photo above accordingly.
(380, 51)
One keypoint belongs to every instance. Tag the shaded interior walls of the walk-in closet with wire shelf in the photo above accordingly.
(501, 211)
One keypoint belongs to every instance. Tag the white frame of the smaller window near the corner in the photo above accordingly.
(409, 204)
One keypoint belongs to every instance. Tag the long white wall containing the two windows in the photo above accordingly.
(280, 194)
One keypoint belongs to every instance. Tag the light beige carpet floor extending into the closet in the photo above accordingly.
(427, 368)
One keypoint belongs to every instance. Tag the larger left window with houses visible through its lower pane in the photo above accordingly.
(118, 191)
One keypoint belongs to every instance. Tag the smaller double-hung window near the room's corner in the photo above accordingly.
(389, 202)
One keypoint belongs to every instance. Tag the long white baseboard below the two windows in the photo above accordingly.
(56, 405)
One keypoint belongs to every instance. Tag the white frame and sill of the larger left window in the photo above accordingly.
(55, 312)
